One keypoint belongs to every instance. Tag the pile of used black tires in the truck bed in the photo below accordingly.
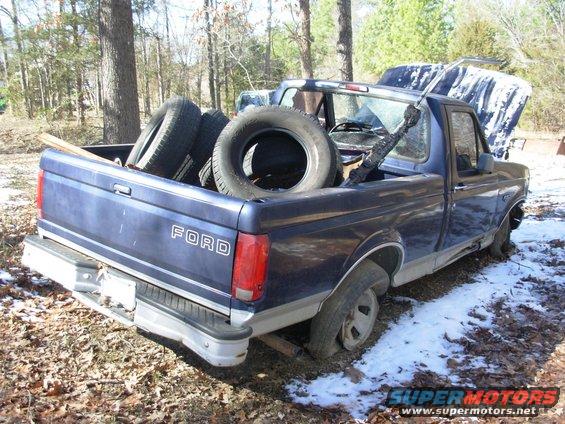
(263, 152)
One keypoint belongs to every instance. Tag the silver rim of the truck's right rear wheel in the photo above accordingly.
(359, 321)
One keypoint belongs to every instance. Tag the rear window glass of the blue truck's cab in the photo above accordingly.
(372, 114)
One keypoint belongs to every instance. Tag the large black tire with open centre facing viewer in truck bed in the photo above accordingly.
(260, 125)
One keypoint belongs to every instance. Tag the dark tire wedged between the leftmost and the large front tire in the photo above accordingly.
(212, 123)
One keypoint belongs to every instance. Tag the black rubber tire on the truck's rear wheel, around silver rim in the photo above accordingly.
(326, 325)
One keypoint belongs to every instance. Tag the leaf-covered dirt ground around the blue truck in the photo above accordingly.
(61, 361)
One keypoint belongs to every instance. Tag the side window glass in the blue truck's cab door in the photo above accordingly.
(464, 140)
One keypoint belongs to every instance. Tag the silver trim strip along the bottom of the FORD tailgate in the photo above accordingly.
(187, 295)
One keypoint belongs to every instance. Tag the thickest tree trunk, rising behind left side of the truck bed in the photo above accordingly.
(120, 104)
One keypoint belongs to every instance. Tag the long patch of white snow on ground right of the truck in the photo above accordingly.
(427, 333)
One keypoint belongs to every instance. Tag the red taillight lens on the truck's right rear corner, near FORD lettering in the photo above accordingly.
(250, 266)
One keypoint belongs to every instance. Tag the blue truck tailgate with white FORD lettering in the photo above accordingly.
(174, 235)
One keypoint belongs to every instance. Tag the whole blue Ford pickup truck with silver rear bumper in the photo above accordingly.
(212, 271)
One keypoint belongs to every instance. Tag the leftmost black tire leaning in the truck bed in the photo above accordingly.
(167, 138)
